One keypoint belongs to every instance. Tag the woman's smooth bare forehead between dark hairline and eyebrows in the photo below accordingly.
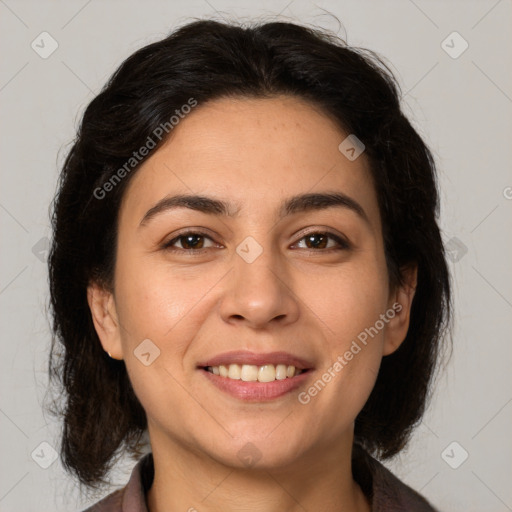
(253, 152)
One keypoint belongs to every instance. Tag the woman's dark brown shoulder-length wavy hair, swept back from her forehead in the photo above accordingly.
(206, 60)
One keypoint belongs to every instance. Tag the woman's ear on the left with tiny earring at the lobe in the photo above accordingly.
(104, 316)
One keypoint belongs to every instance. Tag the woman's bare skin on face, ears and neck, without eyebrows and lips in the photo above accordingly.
(307, 300)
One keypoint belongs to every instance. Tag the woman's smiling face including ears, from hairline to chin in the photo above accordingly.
(293, 264)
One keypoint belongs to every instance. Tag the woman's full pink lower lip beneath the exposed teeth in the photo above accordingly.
(256, 391)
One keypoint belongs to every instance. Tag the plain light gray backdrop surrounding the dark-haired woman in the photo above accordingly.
(461, 106)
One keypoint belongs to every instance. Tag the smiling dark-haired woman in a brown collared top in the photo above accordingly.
(247, 266)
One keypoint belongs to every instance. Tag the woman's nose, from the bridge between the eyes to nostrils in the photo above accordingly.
(259, 293)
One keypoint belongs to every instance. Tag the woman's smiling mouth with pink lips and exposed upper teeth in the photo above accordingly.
(256, 377)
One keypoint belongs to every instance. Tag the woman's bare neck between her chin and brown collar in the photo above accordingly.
(190, 481)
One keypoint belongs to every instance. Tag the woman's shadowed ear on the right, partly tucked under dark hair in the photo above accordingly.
(400, 303)
